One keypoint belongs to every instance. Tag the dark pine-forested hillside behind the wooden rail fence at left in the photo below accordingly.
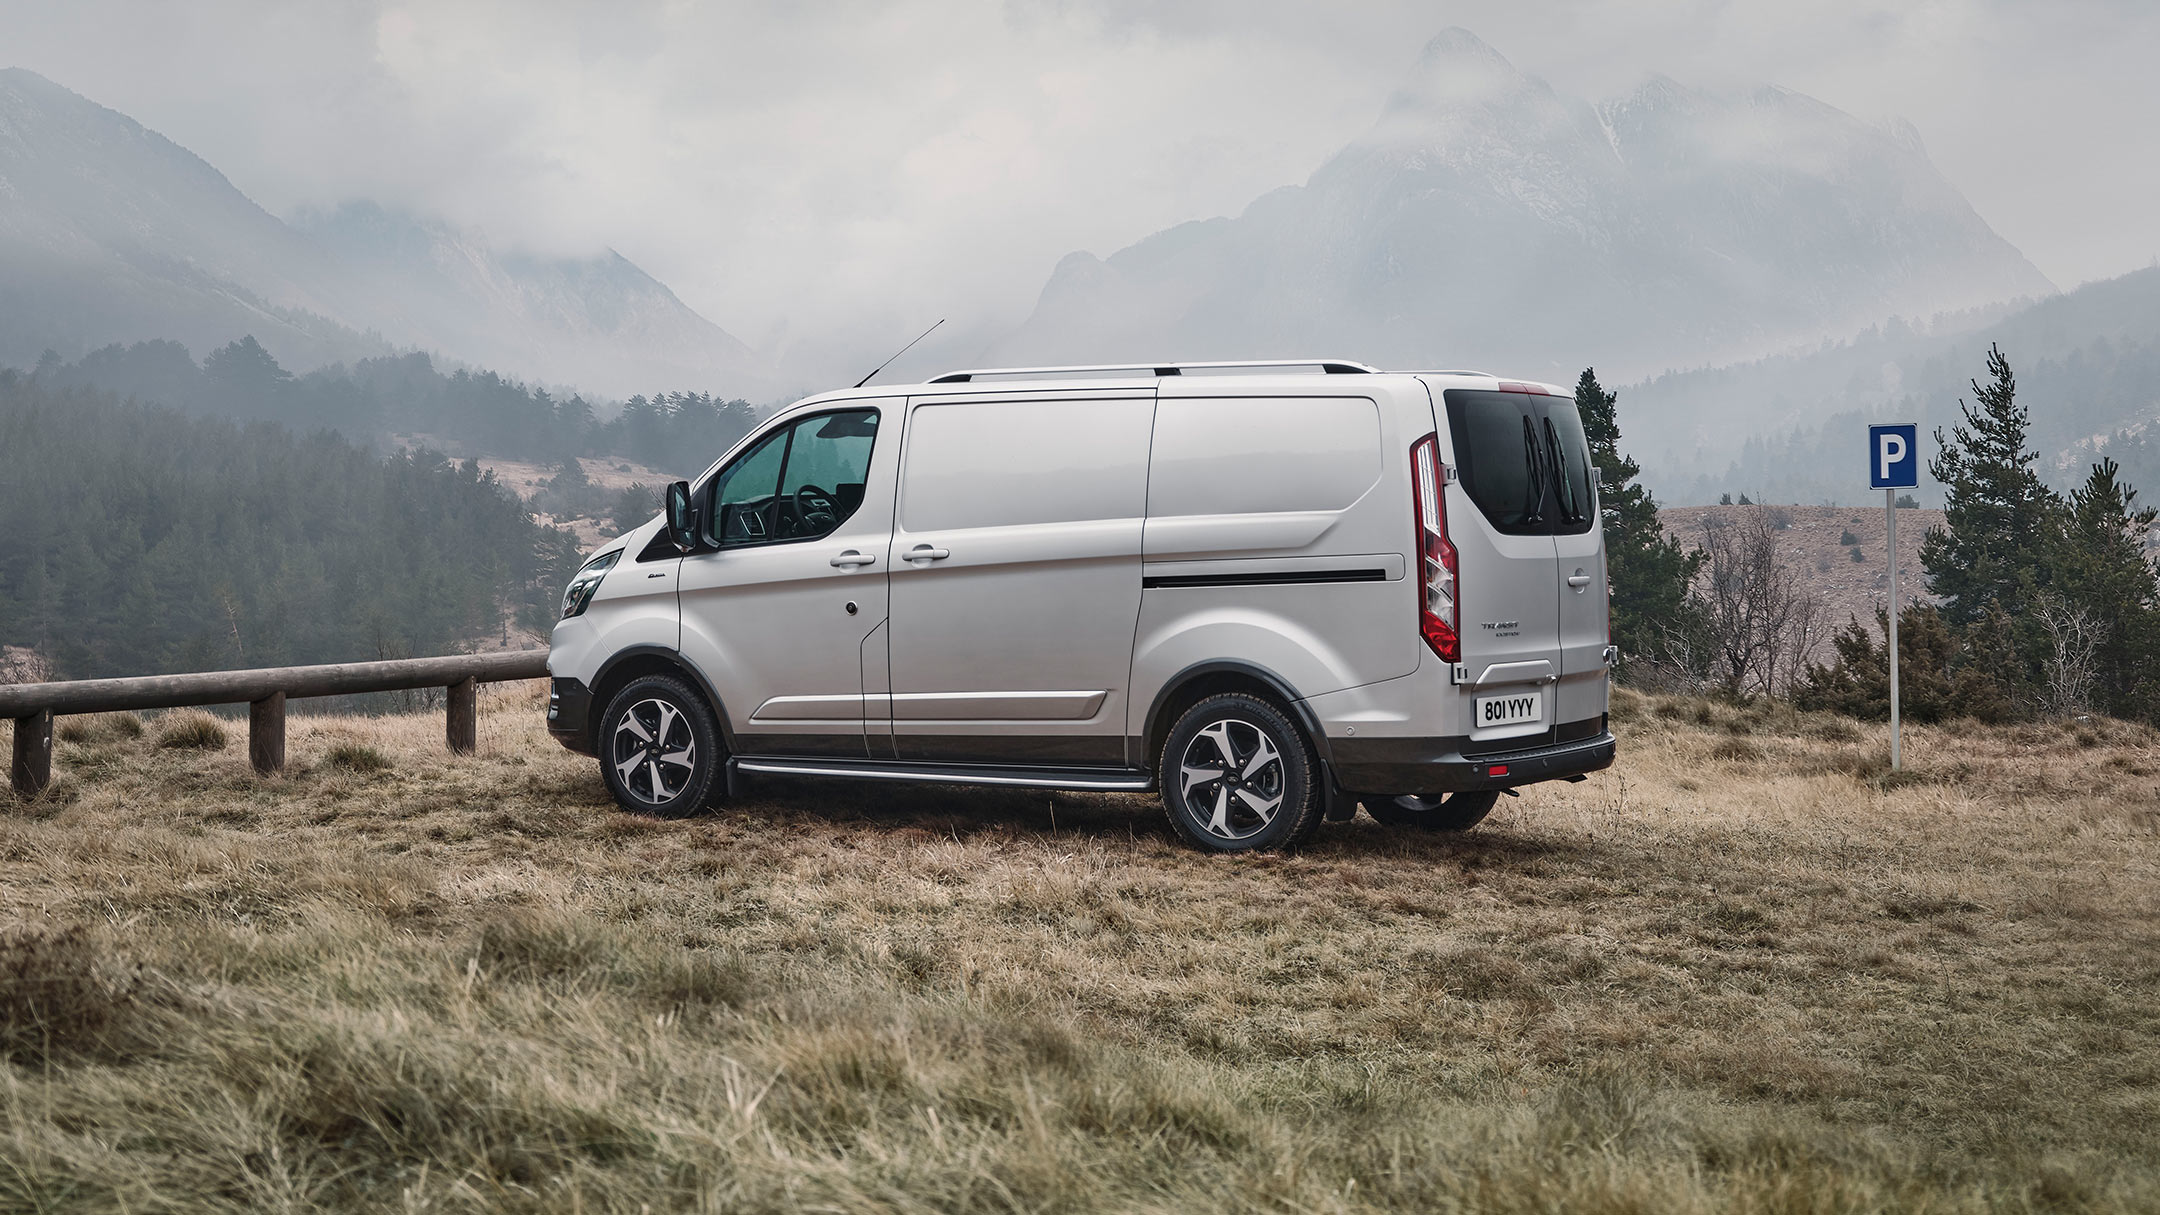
(144, 542)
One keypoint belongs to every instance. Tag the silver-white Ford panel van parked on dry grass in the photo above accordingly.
(1271, 591)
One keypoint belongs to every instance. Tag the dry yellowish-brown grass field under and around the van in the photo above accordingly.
(1742, 972)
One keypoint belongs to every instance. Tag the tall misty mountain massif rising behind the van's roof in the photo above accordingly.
(1494, 222)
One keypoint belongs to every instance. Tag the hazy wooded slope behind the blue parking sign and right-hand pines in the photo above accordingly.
(1792, 427)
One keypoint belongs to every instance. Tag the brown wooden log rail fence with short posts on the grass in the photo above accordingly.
(265, 693)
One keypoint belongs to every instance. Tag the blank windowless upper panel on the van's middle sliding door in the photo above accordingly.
(1025, 462)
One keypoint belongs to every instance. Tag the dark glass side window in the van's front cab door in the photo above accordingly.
(798, 483)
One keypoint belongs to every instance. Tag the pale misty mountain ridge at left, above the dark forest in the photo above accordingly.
(111, 232)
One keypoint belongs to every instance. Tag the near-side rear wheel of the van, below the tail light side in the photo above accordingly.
(1265, 792)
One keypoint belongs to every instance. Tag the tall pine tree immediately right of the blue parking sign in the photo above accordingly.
(1999, 518)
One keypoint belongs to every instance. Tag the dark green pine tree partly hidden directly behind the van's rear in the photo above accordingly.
(1647, 568)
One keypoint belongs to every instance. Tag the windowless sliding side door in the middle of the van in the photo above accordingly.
(1016, 578)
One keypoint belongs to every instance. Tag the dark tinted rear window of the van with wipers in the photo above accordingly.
(1524, 462)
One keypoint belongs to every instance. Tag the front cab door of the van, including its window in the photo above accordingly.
(785, 602)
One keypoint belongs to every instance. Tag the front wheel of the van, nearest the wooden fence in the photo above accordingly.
(653, 719)
